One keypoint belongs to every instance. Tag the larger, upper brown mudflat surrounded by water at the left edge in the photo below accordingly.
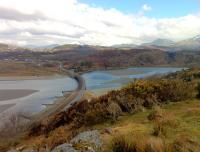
(14, 94)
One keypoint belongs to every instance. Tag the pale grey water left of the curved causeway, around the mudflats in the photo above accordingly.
(48, 90)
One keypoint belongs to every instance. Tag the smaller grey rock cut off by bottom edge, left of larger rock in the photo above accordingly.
(64, 148)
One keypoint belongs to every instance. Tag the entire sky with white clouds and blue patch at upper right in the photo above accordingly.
(97, 22)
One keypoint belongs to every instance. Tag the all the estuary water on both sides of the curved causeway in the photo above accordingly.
(97, 81)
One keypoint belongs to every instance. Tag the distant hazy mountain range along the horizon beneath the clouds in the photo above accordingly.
(192, 44)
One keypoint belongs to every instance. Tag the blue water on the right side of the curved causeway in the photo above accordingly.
(102, 81)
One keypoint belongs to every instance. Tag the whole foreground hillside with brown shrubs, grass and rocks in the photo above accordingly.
(161, 112)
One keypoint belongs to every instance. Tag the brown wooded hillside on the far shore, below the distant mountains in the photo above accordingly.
(85, 59)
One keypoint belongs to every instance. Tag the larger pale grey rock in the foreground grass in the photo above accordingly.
(90, 137)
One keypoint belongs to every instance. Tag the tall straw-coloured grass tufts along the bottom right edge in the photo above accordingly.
(144, 143)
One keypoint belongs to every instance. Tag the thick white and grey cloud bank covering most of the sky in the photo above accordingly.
(43, 22)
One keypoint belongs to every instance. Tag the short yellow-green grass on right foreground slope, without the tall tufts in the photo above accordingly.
(186, 115)
